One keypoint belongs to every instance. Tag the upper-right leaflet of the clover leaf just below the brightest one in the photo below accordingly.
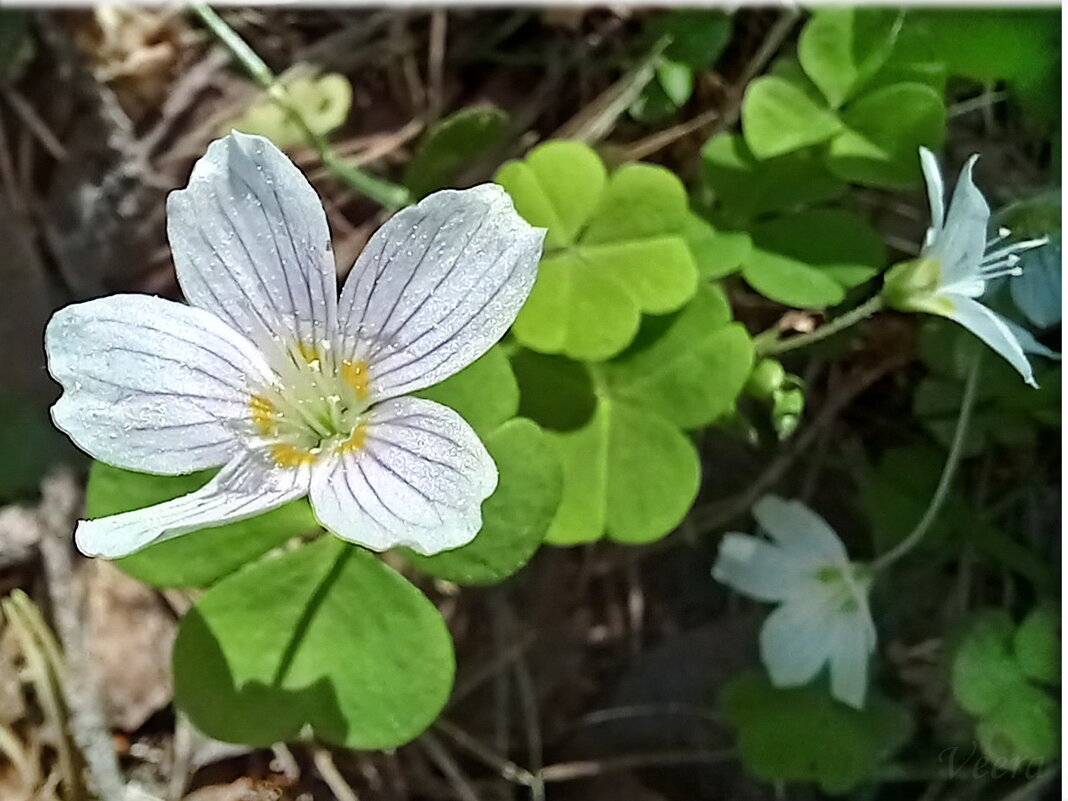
(688, 368)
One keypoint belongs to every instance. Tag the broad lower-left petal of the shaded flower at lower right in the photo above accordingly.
(796, 640)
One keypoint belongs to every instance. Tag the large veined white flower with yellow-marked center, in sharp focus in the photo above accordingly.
(291, 390)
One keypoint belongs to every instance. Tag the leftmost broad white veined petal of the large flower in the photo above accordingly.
(149, 384)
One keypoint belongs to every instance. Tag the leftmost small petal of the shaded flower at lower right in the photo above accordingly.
(758, 569)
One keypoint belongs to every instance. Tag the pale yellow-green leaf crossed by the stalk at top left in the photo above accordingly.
(323, 102)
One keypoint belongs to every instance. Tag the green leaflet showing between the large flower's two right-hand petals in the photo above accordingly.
(485, 392)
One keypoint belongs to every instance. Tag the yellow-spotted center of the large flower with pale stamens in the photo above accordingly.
(317, 405)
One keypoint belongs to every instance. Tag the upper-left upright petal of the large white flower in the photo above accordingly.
(252, 244)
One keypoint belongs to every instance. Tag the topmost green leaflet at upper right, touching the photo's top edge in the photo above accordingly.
(842, 49)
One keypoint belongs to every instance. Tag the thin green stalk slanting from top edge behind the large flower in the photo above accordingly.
(385, 193)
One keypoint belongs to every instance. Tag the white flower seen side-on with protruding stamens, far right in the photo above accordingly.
(955, 264)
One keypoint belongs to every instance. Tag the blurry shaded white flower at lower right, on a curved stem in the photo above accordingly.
(824, 616)
